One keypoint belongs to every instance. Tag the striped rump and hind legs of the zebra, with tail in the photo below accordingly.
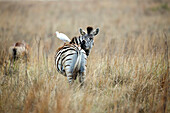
(70, 61)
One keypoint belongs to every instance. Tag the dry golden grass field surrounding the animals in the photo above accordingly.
(127, 70)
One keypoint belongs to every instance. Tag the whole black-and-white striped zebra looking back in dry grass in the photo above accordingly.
(71, 59)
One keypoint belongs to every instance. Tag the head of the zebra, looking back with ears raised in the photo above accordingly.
(88, 38)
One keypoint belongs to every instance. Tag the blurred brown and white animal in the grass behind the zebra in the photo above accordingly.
(19, 50)
